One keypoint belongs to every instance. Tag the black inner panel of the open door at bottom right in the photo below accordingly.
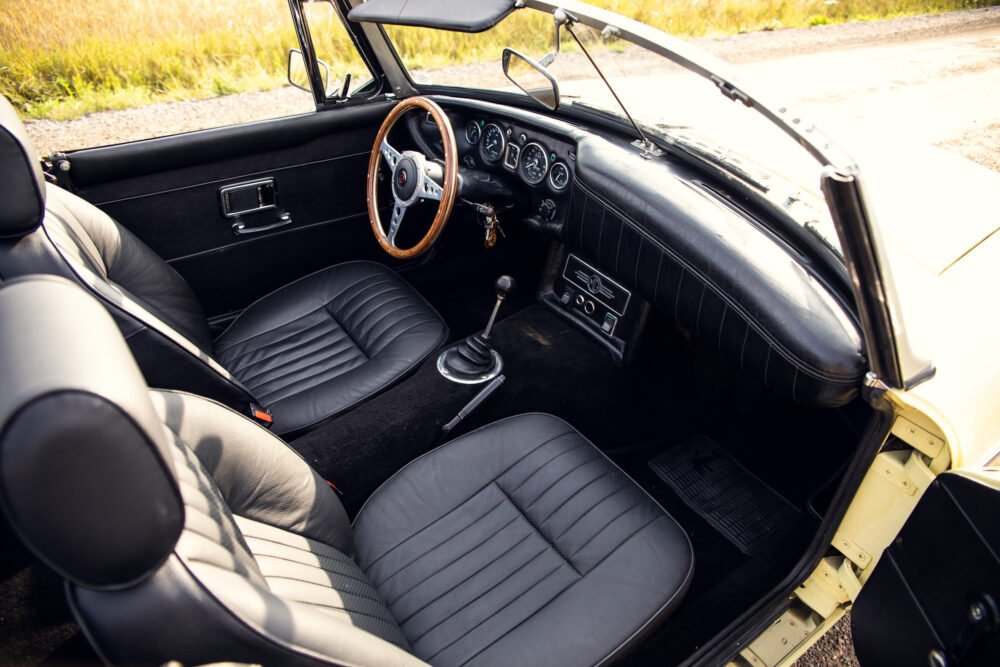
(935, 580)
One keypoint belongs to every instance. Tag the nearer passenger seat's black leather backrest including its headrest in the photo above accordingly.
(186, 531)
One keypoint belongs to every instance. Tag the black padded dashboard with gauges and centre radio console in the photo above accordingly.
(673, 236)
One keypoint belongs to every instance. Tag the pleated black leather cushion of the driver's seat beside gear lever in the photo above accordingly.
(324, 343)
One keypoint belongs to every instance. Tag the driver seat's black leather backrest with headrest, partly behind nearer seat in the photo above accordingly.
(48, 230)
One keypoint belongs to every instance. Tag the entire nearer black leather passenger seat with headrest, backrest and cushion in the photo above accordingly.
(188, 532)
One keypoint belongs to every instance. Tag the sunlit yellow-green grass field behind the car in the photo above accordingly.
(63, 59)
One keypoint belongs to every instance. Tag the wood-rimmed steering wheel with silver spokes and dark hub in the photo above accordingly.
(425, 187)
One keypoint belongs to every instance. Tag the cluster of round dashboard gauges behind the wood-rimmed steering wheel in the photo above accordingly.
(540, 162)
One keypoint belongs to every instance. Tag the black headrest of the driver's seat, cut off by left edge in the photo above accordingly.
(24, 185)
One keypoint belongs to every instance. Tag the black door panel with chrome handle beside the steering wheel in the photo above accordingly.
(167, 192)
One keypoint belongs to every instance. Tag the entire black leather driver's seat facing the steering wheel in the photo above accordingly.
(307, 352)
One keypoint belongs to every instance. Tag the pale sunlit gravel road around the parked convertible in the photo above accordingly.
(933, 80)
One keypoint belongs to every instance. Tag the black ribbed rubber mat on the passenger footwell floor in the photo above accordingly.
(727, 495)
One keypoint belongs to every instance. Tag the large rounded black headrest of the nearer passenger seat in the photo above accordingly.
(86, 478)
